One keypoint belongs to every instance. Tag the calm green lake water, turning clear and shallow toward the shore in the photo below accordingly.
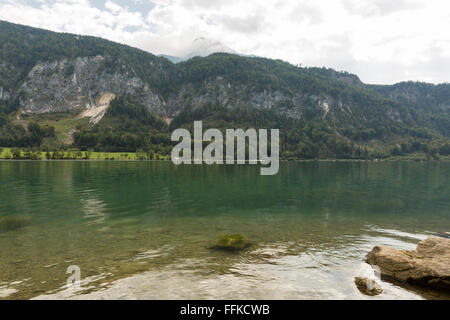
(142, 229)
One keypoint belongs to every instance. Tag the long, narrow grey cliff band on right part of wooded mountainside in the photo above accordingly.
(296, 104)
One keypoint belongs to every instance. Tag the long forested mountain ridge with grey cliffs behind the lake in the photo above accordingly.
(71, 82)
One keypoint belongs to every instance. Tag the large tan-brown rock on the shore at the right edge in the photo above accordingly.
(428, 265)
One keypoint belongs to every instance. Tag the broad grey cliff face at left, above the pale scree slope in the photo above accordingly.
(81, 84)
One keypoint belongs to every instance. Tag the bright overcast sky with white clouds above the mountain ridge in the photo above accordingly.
(382, 41)
